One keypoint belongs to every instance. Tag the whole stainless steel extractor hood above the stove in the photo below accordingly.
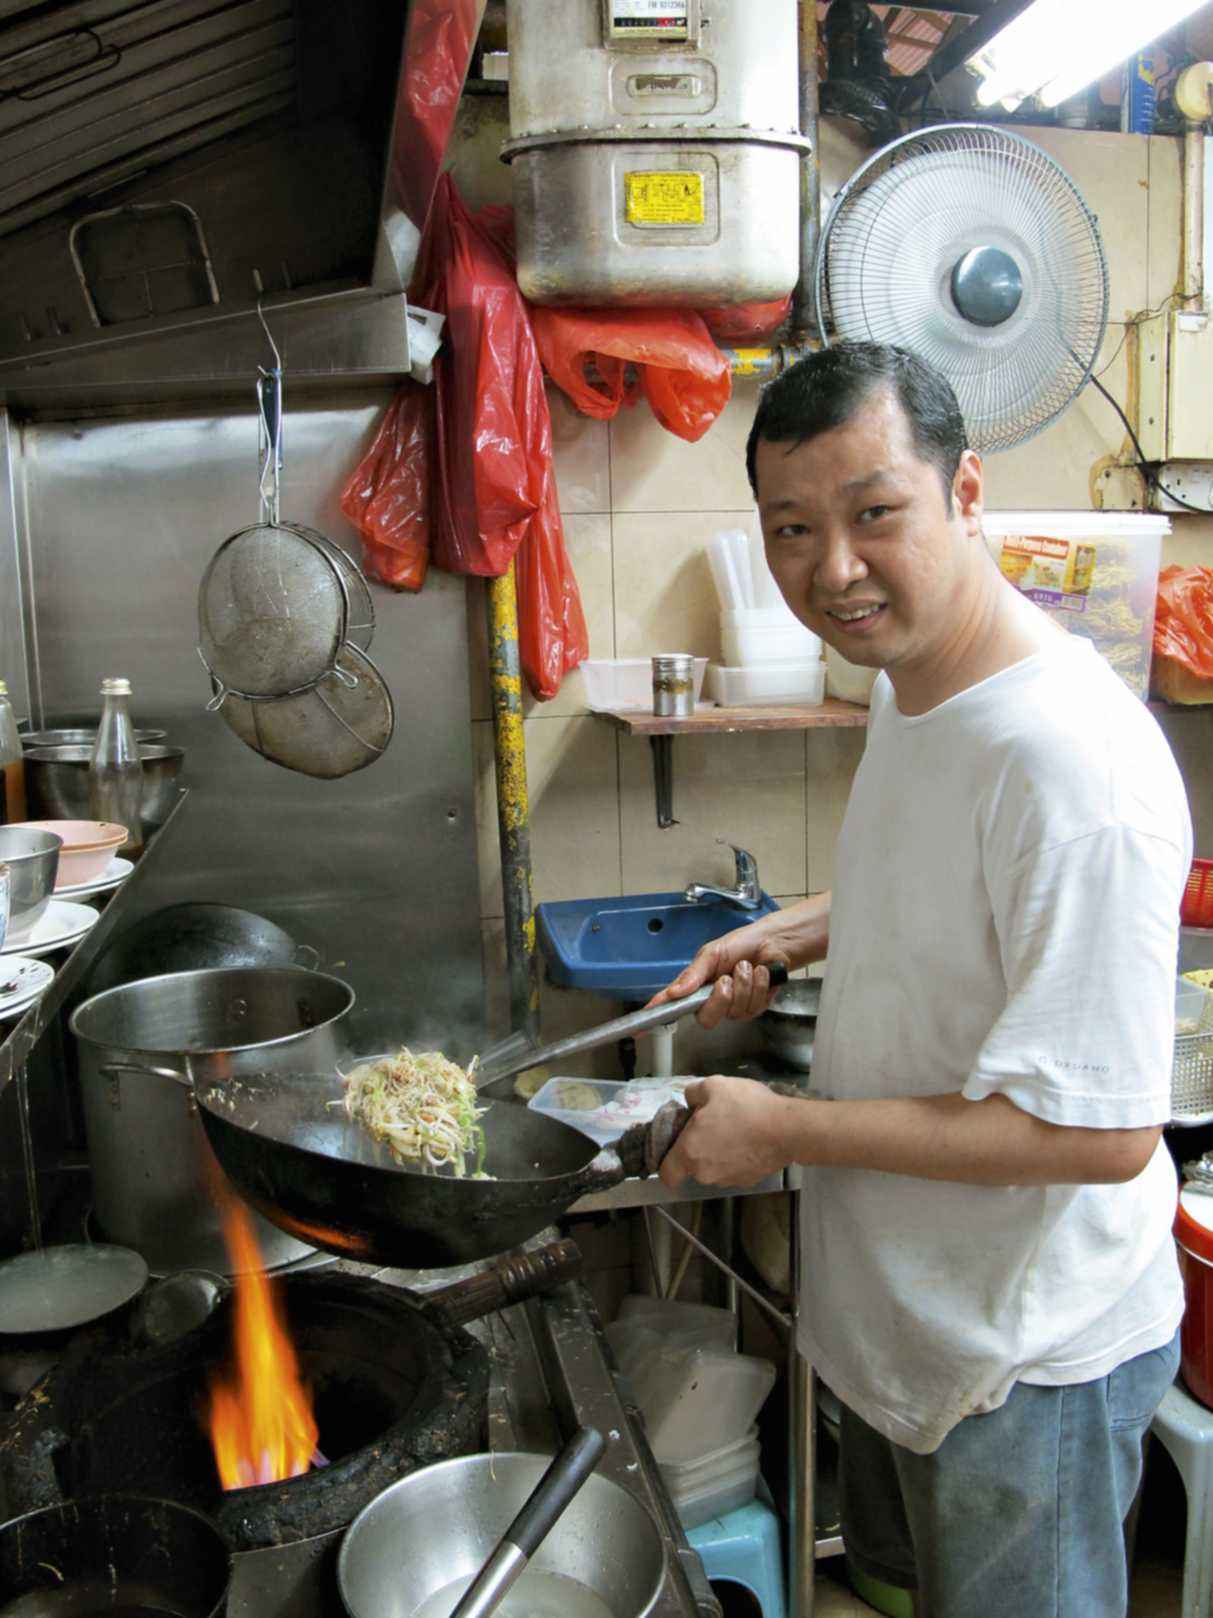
(167, 164)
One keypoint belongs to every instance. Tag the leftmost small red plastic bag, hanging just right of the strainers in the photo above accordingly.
(389, 494)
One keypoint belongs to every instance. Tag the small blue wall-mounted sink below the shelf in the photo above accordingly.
(628, 949)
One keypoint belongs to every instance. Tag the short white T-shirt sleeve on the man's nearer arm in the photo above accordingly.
(1089, 936)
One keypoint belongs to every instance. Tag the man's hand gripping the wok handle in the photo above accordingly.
(735, 1137)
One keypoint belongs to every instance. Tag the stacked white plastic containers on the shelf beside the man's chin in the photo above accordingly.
(769, 654)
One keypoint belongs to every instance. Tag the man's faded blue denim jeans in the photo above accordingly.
(1018, 1514)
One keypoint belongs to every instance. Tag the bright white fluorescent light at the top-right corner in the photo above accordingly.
(1059, 48)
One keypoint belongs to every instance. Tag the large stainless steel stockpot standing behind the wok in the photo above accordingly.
(156, 1185)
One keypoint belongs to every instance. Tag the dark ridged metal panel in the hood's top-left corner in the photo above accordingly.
(95, 93)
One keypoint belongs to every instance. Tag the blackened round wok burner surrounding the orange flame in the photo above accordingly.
(395, 1389)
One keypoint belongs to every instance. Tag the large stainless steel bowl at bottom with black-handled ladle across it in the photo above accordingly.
(434, 1530)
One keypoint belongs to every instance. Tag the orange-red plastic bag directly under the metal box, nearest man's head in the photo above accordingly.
(680, 370)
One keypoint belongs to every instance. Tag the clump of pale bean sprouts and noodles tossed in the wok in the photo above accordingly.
(423, 1108)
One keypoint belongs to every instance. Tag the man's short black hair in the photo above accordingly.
(827, 389)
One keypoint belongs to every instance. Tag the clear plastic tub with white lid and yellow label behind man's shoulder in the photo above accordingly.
(1096, 574)
